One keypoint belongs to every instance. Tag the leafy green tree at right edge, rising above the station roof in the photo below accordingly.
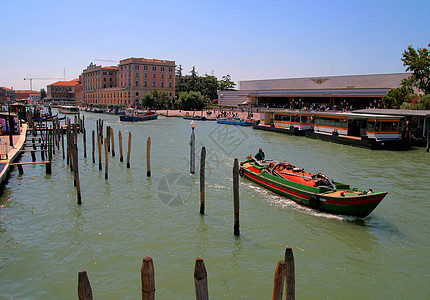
(418, 62)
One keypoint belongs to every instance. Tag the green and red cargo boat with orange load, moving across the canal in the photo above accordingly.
(316, 191)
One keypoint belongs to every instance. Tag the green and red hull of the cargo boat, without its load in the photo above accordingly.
(359, 204)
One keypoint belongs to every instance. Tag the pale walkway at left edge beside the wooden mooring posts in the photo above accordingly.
(12, 151)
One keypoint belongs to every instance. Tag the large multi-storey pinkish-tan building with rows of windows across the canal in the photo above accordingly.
(126, 83)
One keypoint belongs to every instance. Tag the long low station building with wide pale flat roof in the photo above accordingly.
(354, 92)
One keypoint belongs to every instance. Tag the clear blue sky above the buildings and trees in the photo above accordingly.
(245, 39)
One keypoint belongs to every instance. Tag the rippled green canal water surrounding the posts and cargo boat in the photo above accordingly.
(46, 237)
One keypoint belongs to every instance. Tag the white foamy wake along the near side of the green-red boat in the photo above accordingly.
(286, 203)
